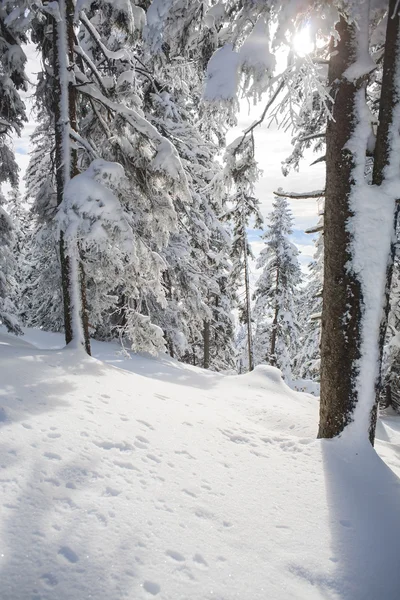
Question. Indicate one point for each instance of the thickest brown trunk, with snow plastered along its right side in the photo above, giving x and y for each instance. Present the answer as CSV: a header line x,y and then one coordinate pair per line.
x,y
342,301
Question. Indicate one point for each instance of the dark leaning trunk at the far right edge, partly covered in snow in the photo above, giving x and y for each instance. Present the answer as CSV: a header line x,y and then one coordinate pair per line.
x,y
389,102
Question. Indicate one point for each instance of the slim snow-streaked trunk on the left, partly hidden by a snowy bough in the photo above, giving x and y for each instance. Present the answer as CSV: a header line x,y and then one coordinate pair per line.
x,y
72,271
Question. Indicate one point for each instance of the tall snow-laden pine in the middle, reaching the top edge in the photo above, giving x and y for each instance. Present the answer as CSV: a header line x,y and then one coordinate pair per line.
x,y
199,302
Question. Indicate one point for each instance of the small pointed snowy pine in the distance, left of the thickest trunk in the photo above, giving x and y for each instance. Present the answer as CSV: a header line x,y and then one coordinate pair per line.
x,y
275,314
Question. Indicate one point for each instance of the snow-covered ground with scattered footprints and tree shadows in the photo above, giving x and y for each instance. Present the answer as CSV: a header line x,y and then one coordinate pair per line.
x,y
132,479
